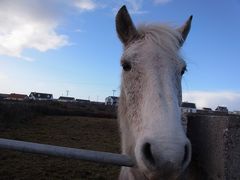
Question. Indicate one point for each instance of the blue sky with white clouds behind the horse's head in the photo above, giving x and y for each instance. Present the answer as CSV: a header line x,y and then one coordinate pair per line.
x,y
60,46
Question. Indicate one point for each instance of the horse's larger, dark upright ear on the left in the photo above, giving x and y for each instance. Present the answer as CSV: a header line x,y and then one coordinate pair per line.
x,y
125,28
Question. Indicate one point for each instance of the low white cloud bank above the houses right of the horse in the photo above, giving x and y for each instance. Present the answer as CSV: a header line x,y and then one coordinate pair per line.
x,y
213,99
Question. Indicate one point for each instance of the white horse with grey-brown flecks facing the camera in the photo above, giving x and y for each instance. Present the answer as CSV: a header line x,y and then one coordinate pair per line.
x,y
149,108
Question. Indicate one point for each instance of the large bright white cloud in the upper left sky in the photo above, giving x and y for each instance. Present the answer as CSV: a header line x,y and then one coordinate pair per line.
x,y
28,24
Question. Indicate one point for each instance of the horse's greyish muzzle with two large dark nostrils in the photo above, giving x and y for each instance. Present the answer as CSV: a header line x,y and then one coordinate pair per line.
x,y
163,159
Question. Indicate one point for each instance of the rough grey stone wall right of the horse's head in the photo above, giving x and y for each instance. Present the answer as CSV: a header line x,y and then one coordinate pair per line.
x,y
215,147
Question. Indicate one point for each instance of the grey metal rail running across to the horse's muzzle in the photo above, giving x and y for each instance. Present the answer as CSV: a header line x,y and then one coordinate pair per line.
x,y
66,152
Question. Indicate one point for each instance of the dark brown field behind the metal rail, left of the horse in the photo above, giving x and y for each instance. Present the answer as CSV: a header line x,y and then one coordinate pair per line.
x,y
71,131
